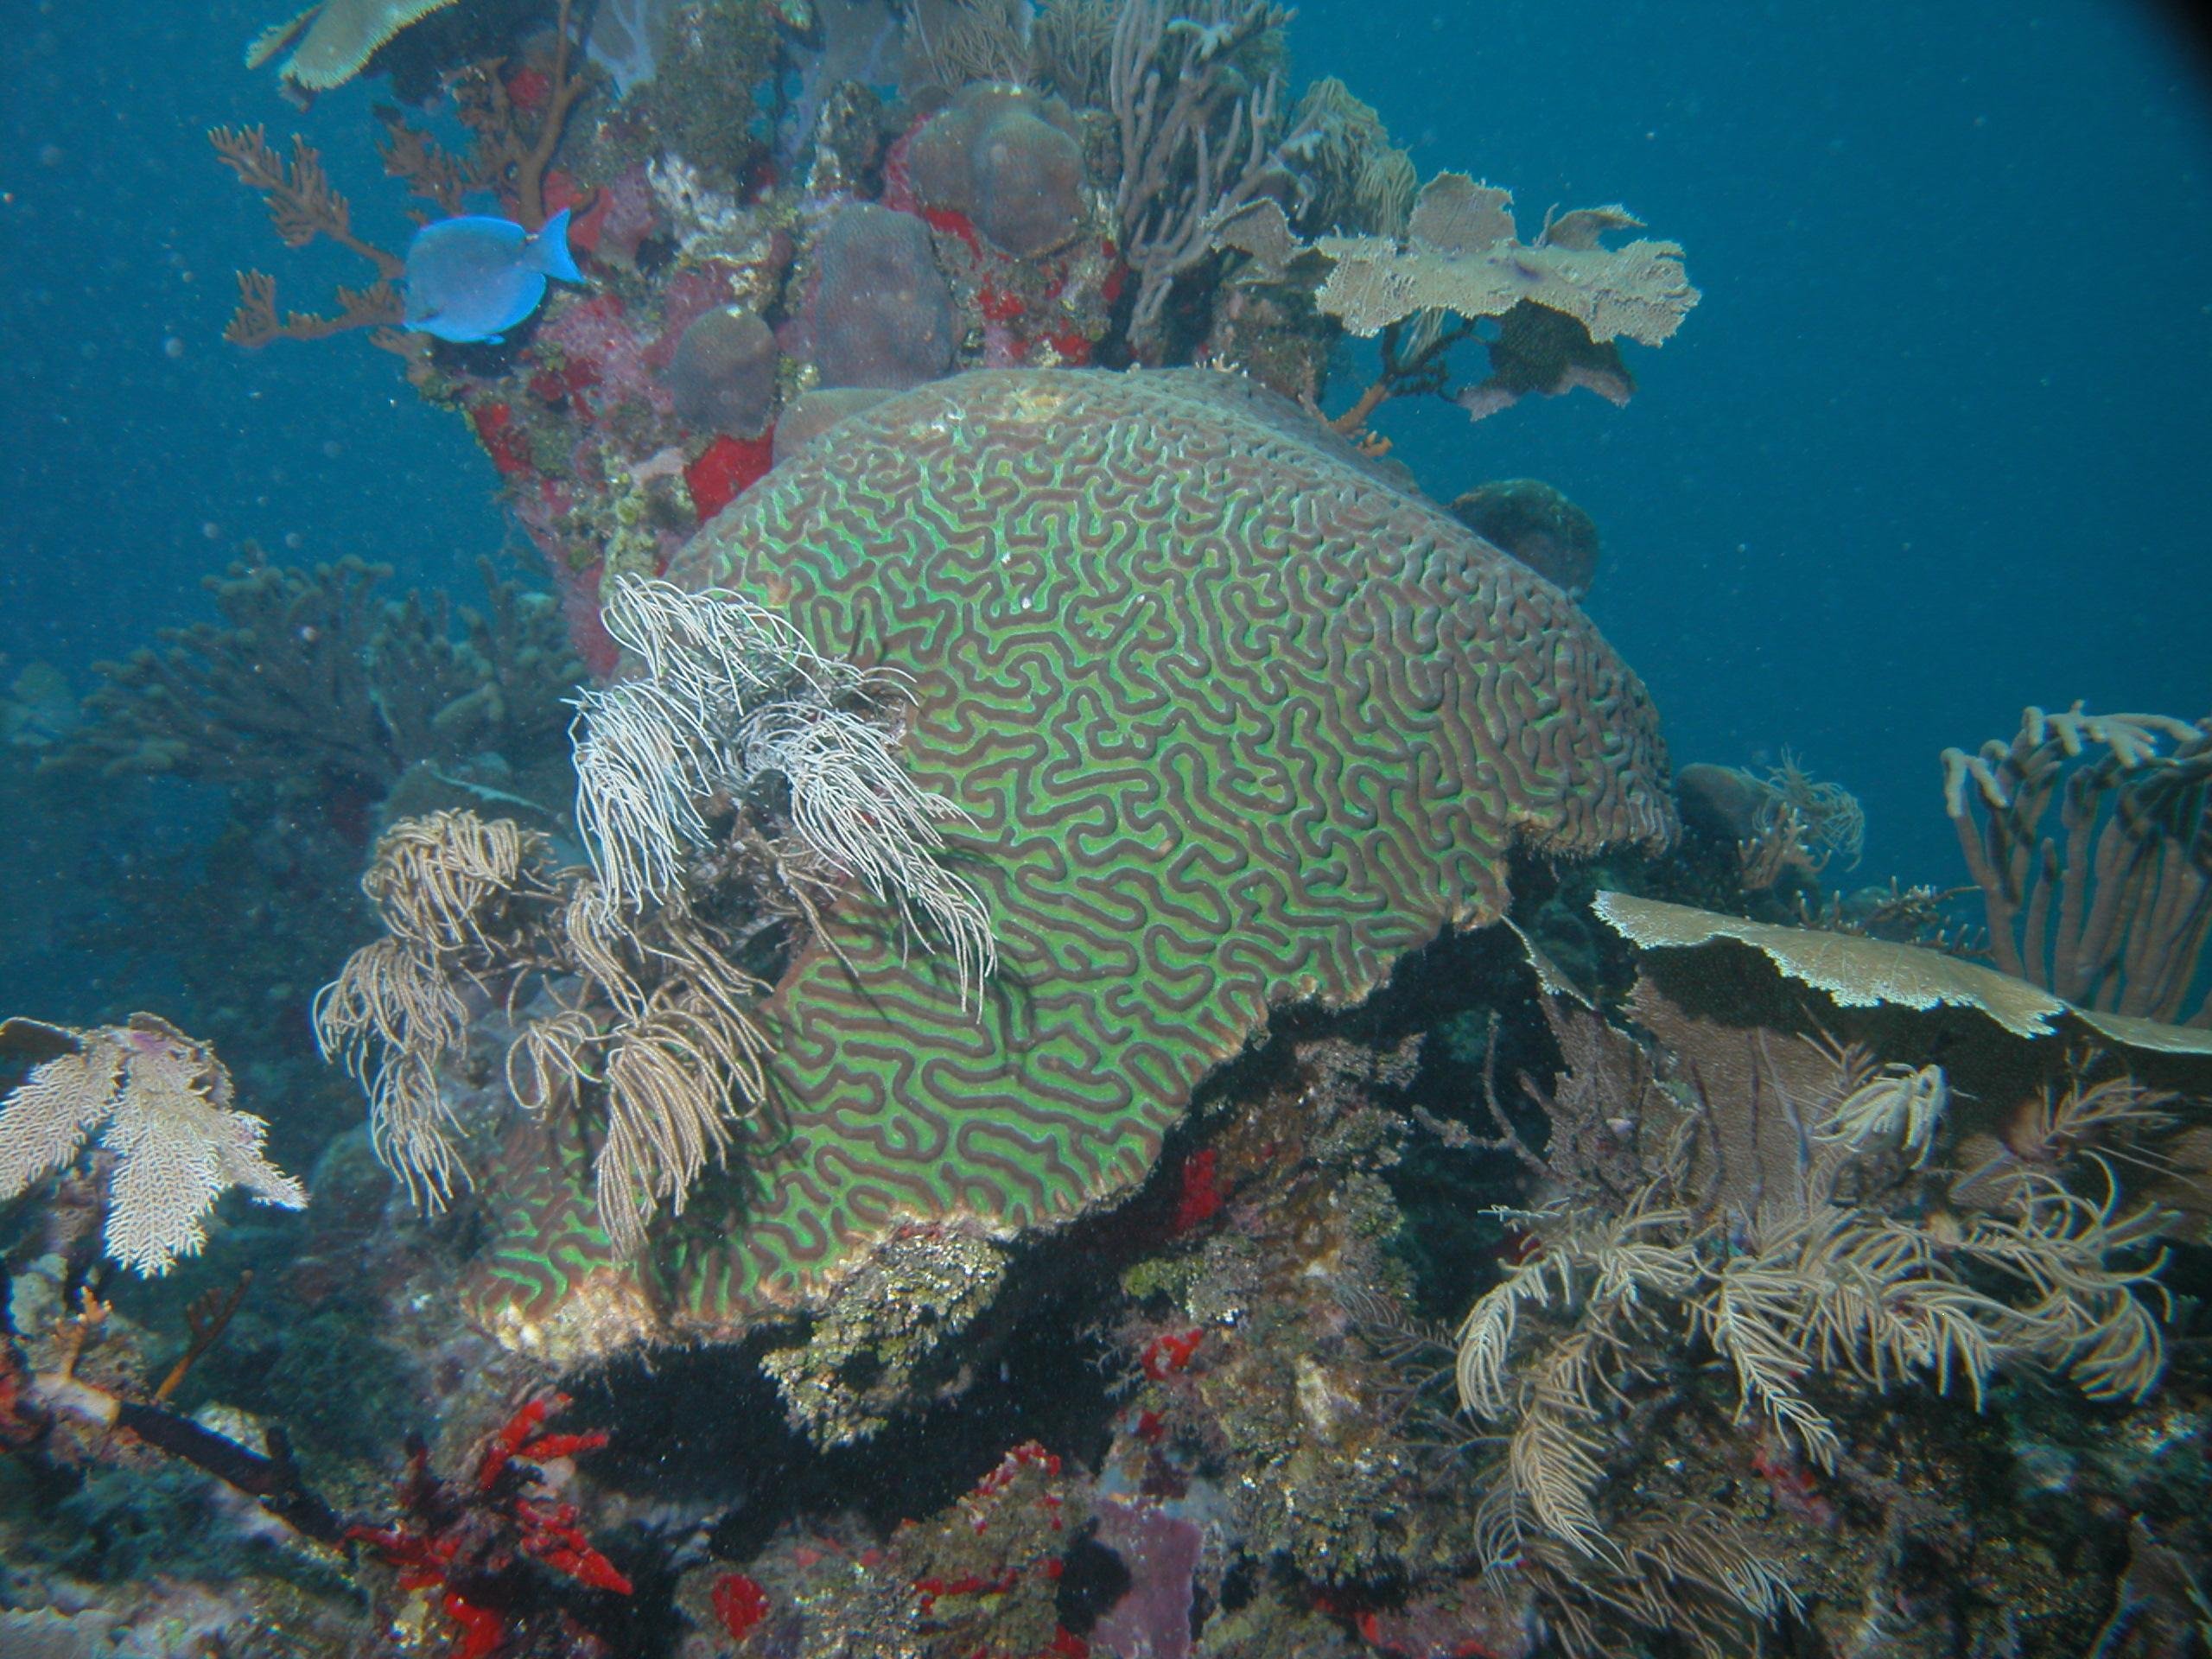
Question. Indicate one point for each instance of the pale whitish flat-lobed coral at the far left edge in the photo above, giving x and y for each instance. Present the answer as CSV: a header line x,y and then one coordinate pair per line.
x,y
171,1142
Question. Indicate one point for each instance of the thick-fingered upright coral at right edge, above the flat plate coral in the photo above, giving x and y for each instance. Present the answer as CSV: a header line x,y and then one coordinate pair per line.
x,y
2111,912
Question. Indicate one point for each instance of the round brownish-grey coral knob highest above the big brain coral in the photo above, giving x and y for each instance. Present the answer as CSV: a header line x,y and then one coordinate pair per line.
x,y
1008,158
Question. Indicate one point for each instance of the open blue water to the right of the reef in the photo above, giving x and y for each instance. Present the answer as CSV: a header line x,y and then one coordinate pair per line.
x,y
1934,444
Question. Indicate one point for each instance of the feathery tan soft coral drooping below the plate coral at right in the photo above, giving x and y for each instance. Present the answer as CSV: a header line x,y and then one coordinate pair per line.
x,y
1786,1224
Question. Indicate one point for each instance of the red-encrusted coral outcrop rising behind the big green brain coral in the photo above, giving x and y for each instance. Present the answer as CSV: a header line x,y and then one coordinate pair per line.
x,y
897,194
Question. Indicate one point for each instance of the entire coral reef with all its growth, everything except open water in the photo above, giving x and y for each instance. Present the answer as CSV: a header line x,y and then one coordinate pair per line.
x,y
1034,1008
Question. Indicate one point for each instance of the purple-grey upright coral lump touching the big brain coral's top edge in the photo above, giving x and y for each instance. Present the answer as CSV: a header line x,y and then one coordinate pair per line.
x,y
884,315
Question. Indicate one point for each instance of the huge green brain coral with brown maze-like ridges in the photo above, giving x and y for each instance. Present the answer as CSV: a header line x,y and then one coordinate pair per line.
x,y
1238,724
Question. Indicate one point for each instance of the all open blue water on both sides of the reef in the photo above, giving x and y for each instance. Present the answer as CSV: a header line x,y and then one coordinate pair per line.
x,y
1930,450
